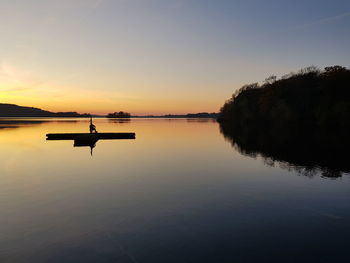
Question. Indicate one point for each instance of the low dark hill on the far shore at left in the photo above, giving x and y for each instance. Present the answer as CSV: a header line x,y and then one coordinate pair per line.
x,y
12,110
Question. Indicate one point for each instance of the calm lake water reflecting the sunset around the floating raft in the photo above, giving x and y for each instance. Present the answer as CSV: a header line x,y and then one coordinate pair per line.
x,y
178,193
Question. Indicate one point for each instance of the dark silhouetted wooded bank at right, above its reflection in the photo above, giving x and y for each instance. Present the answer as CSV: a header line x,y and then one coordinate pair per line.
x,y
307,100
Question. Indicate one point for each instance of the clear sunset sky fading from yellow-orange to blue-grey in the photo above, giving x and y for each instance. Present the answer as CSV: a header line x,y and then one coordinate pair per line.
x,y
159,56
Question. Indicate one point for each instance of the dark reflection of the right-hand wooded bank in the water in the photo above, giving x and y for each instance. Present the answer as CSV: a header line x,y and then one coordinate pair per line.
x,y
308,155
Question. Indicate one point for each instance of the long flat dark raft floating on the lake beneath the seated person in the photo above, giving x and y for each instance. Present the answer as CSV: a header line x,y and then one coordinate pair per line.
x,y
90,136
